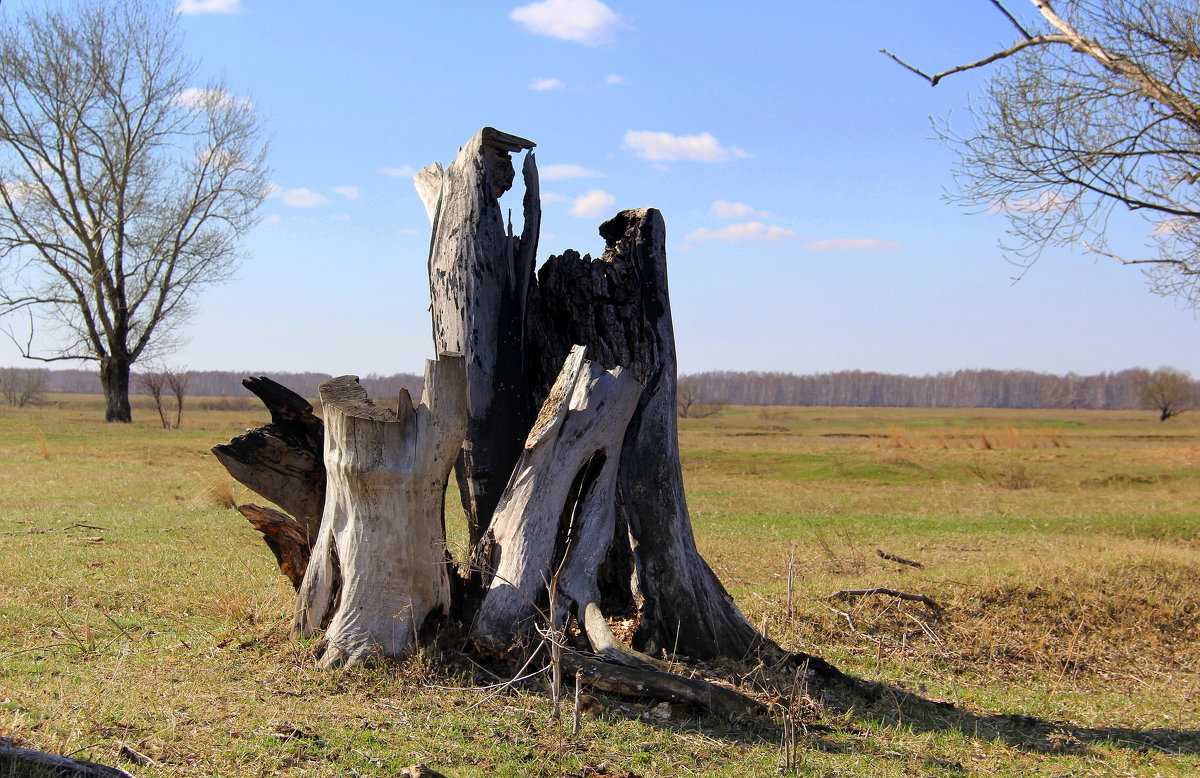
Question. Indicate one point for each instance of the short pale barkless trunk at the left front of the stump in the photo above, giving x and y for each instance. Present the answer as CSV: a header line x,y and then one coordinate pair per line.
x,y
379,568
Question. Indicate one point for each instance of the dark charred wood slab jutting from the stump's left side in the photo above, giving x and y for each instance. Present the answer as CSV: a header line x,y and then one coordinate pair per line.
x,y
283,460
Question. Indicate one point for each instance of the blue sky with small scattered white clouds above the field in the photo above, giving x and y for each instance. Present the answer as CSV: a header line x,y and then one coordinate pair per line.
x,y
794,164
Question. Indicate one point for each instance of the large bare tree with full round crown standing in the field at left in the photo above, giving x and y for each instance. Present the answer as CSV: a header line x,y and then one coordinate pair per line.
x,y
124,187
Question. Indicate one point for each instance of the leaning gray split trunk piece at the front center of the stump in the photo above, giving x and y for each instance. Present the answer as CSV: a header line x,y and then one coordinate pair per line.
x,y
557,517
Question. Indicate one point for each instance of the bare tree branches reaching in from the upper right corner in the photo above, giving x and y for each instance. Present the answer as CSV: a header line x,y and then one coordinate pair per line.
x,y
1094,112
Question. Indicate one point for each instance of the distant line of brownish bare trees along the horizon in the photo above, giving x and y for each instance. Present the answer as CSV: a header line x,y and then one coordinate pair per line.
x,y
959,390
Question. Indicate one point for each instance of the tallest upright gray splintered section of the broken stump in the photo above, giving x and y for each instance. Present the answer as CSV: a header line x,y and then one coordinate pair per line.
x,y
481,274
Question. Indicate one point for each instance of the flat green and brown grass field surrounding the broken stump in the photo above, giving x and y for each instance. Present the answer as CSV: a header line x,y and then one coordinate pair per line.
x,y
1064,549
